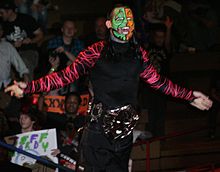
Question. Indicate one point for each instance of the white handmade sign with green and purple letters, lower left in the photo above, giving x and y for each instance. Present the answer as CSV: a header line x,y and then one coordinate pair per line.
x,y
39,143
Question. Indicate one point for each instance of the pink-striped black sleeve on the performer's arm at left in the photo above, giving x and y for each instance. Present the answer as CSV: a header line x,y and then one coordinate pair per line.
x,y
85,60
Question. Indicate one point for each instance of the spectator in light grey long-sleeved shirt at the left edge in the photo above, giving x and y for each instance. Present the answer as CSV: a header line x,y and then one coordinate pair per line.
x,y
10,58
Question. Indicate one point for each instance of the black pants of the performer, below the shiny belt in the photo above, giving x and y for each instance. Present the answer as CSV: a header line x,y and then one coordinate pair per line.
x,y
99,154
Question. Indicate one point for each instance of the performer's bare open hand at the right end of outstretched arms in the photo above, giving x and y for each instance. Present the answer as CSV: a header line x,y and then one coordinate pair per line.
x,y
201,101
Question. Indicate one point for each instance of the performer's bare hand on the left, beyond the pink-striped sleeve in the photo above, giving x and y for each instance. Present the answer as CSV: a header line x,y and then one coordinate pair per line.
x,y
16,89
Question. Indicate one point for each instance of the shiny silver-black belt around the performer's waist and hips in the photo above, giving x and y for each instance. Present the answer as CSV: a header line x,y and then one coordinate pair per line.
x,y
116,123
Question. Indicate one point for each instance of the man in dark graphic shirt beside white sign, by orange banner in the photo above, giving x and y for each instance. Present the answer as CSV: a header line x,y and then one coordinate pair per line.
x,y
69,126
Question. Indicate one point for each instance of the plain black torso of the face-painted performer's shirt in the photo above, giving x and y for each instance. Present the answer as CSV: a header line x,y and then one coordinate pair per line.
x,y
114,77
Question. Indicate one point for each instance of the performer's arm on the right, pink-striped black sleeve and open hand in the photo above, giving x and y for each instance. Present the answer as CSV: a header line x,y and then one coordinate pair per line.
x,y
156,81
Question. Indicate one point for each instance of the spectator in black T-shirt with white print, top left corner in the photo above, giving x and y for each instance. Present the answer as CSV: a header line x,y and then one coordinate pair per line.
x,y
23,32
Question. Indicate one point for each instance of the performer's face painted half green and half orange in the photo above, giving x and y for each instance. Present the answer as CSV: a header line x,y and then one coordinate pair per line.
x,y
122,23
